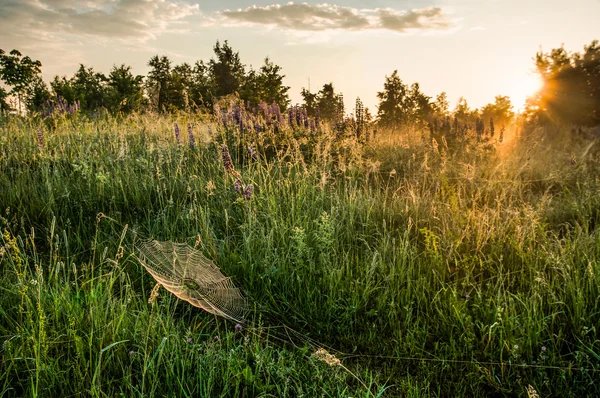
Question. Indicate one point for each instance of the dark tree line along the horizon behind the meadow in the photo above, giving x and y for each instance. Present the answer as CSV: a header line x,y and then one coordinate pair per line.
x,y
570,94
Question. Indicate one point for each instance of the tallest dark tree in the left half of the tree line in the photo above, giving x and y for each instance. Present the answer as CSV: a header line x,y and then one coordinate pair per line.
x,y
226,71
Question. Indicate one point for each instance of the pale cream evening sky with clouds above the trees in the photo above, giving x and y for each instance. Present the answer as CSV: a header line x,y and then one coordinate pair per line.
x,y
472,48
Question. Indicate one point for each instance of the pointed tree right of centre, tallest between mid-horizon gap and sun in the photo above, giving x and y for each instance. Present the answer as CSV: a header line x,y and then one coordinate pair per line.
x,y
392,110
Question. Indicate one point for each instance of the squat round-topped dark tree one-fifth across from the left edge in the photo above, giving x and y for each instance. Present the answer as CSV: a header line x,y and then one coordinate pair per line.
x,y
124,91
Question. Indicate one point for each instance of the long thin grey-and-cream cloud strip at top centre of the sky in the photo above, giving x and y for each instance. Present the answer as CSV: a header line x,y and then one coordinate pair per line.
x,y
322,17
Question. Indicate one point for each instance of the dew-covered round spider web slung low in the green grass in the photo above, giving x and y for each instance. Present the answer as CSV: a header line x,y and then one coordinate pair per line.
x,y
190,276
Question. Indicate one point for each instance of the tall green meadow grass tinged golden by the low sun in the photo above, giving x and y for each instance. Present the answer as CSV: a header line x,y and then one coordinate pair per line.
x,y
429,269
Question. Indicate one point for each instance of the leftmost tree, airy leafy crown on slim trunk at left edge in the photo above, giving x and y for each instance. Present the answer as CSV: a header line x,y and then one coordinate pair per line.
x,y
18,72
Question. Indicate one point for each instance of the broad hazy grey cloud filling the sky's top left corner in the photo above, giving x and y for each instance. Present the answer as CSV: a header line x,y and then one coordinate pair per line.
x,y
27,21
